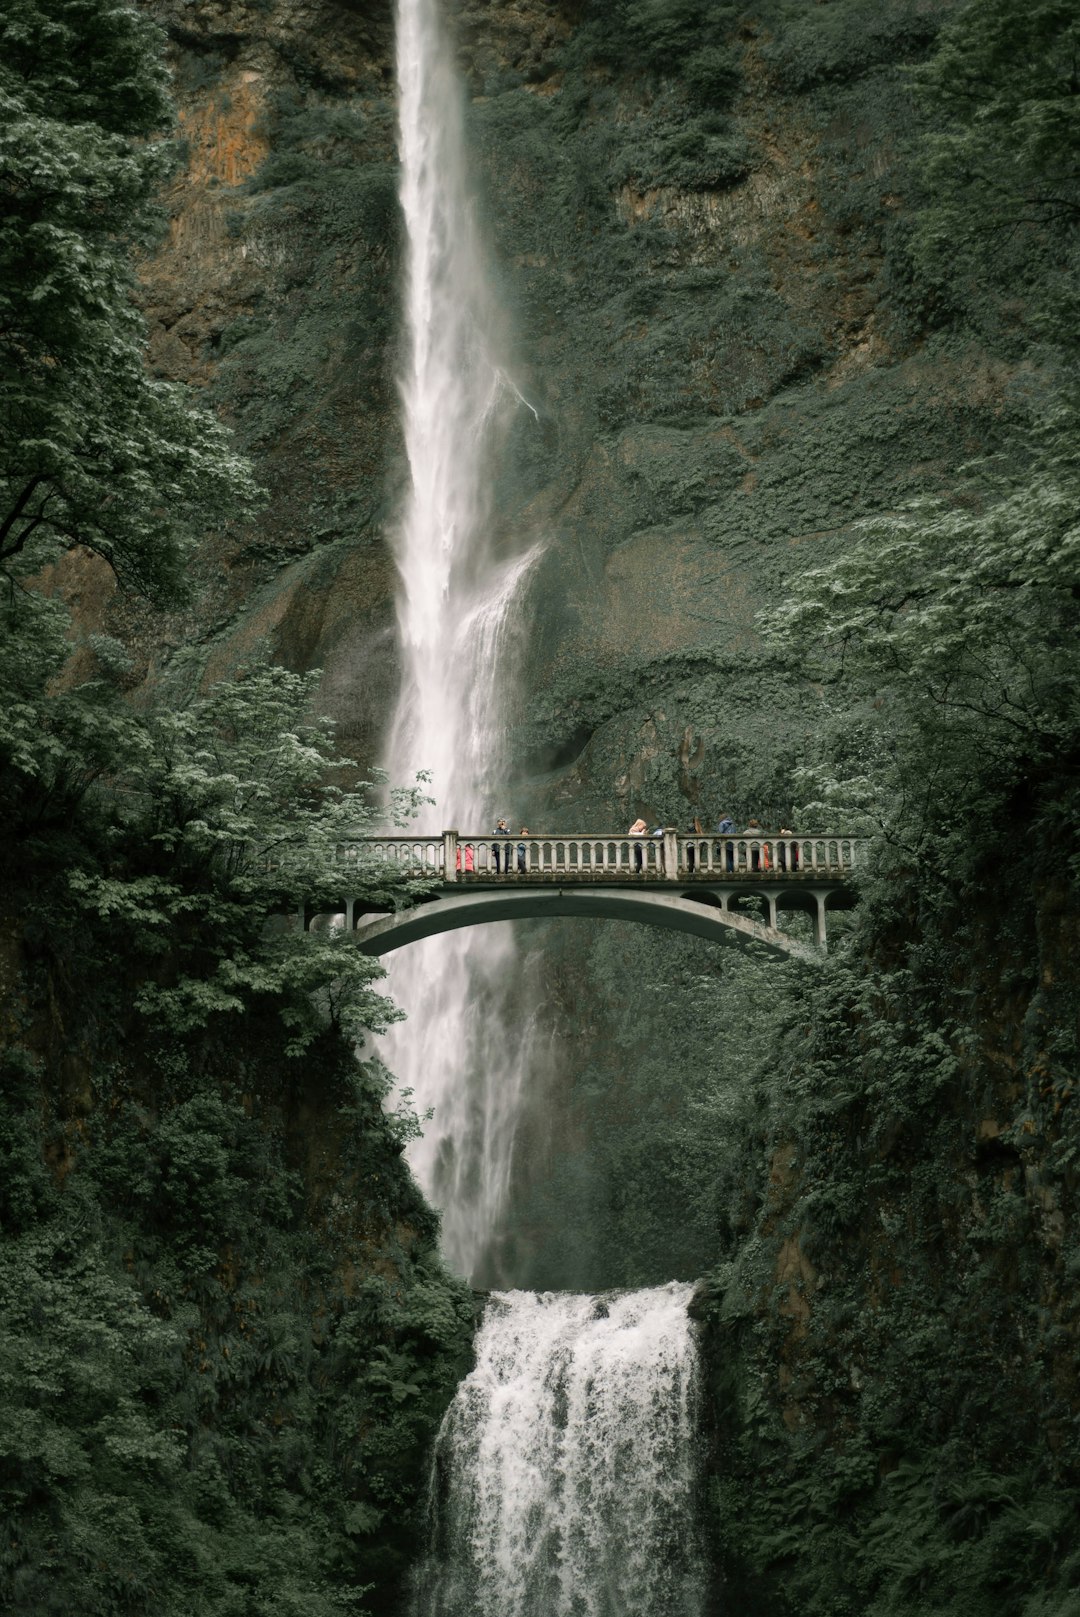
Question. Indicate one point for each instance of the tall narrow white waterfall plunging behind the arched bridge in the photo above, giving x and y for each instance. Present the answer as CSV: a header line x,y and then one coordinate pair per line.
x,y
460,583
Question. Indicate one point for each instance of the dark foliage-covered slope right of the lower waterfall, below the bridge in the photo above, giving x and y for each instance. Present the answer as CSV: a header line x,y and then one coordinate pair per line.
x,y
898,1458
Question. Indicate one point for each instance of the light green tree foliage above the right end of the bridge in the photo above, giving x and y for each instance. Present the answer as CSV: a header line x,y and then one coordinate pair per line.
x,y
960,623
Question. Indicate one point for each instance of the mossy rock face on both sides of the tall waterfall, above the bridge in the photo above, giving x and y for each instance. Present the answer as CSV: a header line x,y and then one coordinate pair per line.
x,y
706,293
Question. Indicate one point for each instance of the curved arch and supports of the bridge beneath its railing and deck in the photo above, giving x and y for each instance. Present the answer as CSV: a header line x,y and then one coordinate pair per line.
x,y
704,916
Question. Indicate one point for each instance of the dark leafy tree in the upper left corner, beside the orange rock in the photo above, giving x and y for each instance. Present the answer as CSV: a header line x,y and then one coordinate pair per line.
x,y
93,450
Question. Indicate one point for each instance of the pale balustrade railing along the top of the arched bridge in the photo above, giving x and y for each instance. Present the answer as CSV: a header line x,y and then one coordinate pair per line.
x,y
669,856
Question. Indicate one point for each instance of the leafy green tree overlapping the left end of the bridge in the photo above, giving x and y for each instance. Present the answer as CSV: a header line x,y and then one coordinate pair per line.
x,y
222,819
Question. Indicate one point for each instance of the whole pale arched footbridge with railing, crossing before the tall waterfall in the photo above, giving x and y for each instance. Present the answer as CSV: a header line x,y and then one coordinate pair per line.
x,y
690,884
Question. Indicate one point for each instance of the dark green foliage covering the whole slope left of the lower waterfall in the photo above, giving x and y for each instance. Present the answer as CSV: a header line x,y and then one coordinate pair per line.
x,y
193,1324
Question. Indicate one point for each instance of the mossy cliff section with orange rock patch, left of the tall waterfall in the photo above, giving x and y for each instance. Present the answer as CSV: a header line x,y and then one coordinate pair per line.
x,y
276,290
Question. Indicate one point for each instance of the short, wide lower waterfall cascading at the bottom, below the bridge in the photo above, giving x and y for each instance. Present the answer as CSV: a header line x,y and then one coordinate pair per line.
x,y
565,1469
